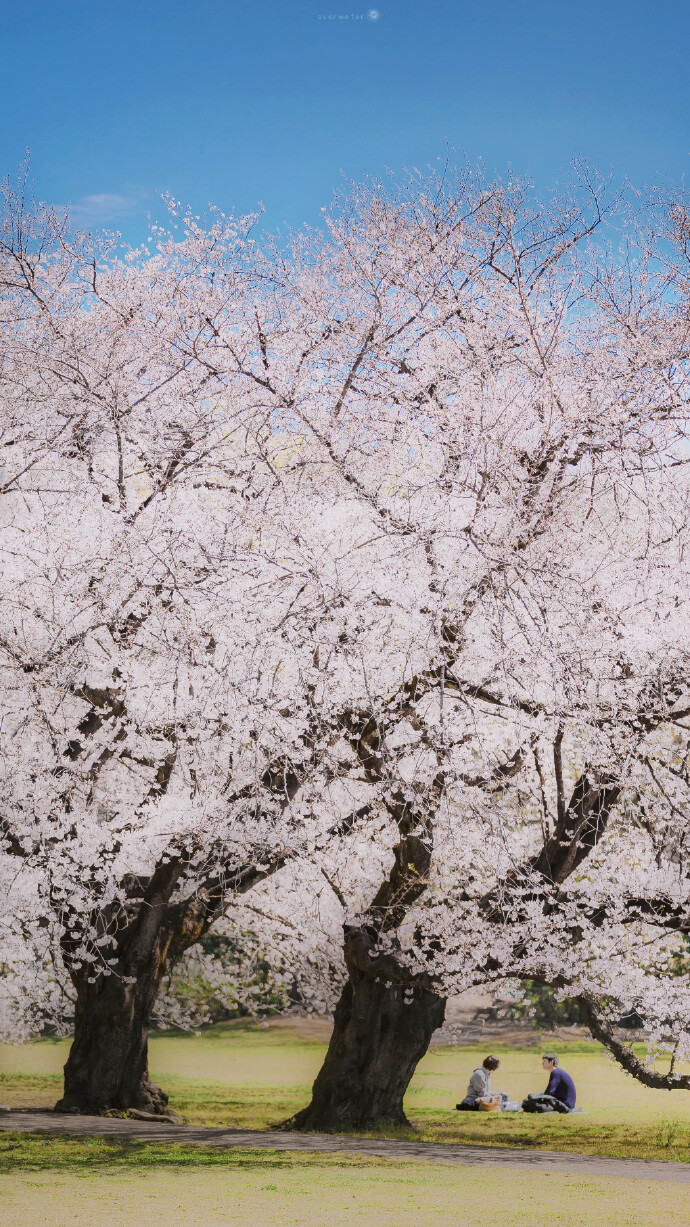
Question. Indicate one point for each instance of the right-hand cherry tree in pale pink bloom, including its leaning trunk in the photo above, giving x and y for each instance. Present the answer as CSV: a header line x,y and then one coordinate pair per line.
x,y
526,415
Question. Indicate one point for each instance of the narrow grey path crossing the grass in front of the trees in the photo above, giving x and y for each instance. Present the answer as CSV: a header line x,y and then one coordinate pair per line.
x,y
435,1153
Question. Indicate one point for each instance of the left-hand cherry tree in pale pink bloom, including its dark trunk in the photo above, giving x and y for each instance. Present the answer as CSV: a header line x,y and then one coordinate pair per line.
x,y
157,615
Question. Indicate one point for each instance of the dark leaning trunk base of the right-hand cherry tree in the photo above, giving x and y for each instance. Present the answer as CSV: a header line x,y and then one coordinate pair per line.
x,y
381,1033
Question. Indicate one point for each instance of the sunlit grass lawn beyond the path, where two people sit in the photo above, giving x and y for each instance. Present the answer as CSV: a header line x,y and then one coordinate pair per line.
x,y
247,1075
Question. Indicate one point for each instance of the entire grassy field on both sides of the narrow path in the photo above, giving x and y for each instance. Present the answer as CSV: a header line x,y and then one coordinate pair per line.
x,y
255,1077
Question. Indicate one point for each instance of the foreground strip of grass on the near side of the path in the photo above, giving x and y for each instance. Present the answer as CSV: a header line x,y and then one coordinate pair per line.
x,y
174,1187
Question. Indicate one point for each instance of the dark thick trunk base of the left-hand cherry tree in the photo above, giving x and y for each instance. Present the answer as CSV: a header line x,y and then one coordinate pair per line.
x,y
109,1062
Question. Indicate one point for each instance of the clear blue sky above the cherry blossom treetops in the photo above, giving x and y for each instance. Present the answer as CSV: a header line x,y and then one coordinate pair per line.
x,y
273,101
